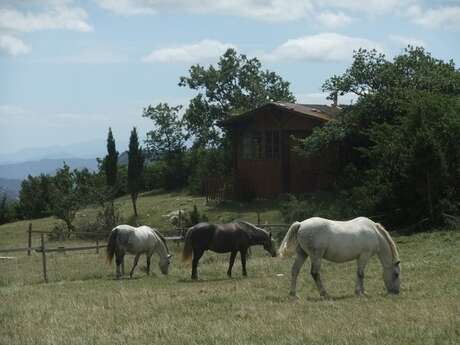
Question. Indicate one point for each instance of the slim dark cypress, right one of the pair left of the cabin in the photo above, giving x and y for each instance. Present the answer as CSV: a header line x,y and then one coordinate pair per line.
x,y
135,168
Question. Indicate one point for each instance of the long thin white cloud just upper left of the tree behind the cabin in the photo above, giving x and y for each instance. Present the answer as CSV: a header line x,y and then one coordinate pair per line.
x,y
189,53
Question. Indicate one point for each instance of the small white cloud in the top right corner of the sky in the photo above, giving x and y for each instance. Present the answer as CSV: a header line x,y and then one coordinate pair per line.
x,y
446,17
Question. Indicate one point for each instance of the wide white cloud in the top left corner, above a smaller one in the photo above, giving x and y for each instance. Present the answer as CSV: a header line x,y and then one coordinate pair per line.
x,y
56,17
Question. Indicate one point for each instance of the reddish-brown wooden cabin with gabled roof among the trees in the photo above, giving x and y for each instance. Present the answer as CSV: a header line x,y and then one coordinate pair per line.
x,y
264,161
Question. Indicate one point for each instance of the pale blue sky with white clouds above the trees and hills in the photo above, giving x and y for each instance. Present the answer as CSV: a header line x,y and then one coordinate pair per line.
x,y
70,69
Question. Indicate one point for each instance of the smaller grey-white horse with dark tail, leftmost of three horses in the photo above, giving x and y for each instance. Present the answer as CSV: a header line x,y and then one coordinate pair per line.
x,y
142,240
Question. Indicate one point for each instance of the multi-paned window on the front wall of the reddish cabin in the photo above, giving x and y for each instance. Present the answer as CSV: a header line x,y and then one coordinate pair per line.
x,y
261,145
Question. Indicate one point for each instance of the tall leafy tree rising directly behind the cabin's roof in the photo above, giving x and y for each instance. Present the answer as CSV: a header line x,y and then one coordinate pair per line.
x,y
235,85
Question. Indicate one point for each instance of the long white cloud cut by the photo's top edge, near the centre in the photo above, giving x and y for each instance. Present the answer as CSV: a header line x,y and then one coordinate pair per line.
x,y
265,10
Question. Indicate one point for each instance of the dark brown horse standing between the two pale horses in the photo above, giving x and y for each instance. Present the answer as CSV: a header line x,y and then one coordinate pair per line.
x,y
223,238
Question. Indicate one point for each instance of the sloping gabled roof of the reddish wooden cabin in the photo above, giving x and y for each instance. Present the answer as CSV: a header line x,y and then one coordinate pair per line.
x,y
317,111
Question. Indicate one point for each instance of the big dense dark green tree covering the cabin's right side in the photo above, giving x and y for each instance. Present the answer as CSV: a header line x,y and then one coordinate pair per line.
x,y
402,131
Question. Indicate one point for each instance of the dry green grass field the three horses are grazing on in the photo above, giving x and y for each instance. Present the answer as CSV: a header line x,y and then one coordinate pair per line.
x,y
84,304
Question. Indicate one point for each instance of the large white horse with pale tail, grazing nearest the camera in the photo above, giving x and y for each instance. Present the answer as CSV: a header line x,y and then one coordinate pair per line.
x,y
337,241
